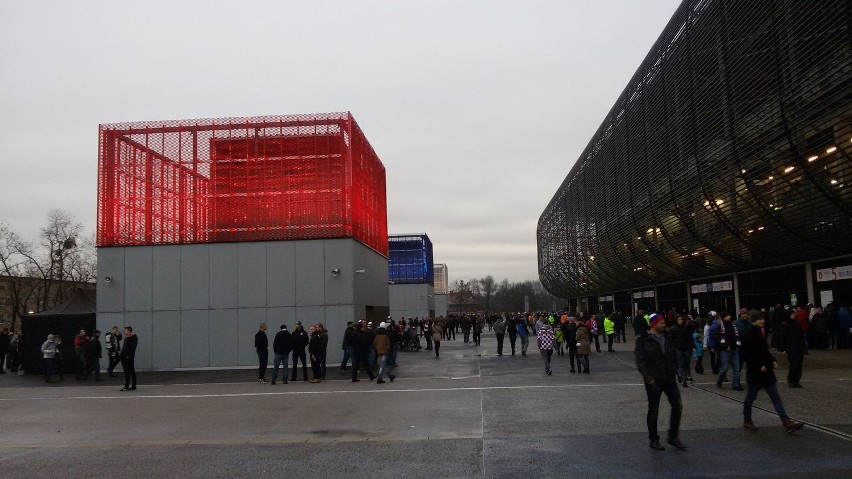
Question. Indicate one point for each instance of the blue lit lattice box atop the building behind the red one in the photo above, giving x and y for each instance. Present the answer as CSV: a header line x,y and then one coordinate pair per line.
x,y
410,259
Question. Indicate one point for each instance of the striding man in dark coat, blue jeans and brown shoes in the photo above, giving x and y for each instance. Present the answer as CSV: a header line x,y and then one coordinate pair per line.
x,y
760,367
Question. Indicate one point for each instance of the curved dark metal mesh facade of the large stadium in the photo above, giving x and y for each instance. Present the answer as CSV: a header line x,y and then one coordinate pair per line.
x,y
729,149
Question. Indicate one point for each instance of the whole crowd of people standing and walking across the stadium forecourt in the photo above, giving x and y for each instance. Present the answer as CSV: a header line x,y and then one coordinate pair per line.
x,y
669,347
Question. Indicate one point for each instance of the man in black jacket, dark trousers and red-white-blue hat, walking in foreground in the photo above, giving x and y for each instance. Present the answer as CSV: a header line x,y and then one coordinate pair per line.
x,y
655,359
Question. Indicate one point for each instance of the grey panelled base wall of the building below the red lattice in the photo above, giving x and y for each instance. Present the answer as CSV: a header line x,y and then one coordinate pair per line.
x,y
199,306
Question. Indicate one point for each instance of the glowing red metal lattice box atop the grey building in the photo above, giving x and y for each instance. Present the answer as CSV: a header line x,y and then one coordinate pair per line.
x,y
240,179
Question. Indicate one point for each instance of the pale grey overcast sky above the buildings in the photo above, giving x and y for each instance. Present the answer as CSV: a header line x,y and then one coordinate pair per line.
x,y
478,109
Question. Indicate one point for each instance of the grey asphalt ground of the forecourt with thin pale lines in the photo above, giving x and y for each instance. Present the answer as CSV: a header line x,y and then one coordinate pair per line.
x,y
469,413
